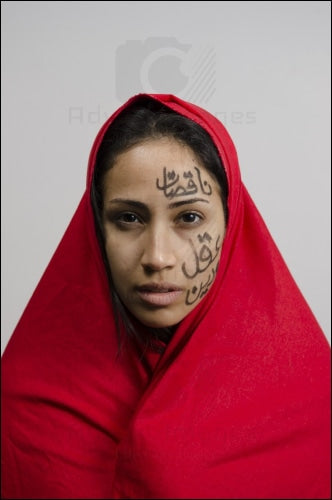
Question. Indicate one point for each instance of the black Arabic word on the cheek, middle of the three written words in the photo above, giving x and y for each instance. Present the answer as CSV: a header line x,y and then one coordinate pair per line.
x,y
203,257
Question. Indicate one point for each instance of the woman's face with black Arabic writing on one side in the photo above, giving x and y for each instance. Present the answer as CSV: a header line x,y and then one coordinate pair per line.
x,y
164,227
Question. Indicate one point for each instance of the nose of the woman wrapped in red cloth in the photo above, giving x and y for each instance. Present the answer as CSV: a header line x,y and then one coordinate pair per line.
x,y
158,253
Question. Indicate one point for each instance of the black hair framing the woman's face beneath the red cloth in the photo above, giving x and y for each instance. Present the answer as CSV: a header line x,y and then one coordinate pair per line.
x,y
148,119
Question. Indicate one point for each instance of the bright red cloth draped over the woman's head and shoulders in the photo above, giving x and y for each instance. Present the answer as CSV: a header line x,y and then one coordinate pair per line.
x,y
238,406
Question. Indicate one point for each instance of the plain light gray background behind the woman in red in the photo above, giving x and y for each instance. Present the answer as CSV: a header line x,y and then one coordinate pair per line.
x,y
262,67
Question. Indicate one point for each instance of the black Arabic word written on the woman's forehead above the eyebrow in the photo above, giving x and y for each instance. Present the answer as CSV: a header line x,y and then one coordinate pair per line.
x,y
172,188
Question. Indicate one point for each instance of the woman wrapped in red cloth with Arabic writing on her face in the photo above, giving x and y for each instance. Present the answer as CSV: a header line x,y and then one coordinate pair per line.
x,y
167,351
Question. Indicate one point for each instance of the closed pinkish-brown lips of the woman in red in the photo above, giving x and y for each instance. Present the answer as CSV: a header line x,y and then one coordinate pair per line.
x,y
159,294
